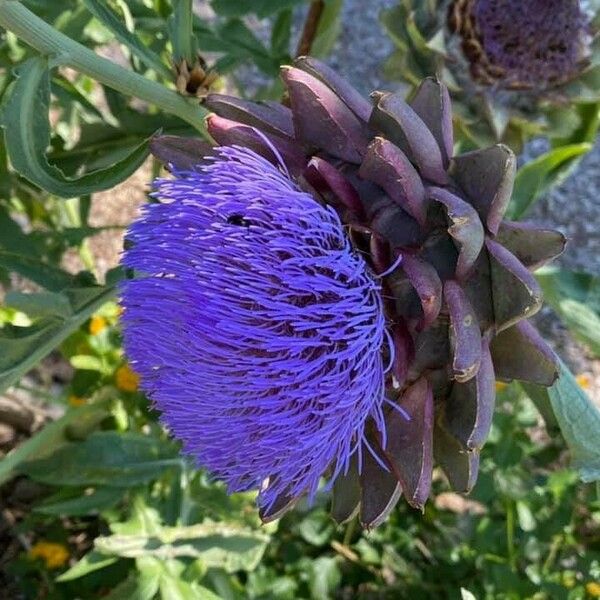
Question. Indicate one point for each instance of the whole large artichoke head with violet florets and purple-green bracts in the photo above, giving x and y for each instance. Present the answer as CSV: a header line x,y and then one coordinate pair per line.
x,y
330,294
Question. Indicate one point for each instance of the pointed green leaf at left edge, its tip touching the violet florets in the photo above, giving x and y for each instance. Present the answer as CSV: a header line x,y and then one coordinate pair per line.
x,y
21,348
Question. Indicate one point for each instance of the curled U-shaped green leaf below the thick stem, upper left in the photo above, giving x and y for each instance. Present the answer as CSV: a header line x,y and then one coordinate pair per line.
x,y
24,117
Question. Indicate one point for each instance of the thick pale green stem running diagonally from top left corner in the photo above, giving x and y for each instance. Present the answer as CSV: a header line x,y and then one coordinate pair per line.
x,y
50,42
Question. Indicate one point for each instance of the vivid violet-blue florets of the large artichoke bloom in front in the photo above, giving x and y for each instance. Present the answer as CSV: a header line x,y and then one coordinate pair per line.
x,y
255,327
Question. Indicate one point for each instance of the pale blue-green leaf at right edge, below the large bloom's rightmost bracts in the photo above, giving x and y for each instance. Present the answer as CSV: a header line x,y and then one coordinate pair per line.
x,y
579,421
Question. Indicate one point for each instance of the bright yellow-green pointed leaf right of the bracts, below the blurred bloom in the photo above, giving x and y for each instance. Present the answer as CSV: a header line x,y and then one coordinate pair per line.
x,y
539,175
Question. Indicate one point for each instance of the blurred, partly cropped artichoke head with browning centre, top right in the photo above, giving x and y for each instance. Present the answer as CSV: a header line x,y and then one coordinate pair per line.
x,y
515,69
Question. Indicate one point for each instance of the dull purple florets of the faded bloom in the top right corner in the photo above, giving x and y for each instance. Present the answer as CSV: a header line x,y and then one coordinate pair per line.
x,y
537,42
